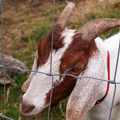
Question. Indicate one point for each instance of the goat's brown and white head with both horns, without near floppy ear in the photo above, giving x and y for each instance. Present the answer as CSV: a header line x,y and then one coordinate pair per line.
x,y
71,52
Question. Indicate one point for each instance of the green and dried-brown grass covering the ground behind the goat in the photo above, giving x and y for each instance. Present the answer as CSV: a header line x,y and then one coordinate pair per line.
x,y
27,27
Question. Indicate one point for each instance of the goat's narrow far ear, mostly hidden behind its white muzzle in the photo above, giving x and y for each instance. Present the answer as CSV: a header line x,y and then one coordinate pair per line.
x,y
27,82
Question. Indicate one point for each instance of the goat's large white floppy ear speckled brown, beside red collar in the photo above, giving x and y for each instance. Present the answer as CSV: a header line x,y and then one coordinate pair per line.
x,y
86,91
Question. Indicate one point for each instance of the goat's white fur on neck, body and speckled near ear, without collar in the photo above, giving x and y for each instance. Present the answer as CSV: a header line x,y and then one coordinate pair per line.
x,y
82,98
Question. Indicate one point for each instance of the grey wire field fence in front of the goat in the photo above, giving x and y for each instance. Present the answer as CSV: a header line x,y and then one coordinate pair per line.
x,y
51,74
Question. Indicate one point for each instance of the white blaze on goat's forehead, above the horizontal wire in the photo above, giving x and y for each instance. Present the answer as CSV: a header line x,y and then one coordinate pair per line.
x,y
57,55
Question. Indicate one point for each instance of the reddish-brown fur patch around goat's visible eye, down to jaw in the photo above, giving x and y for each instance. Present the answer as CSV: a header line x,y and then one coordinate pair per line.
x,y
73,61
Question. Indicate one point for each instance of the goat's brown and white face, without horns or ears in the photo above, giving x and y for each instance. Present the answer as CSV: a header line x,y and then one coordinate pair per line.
x,y
68,56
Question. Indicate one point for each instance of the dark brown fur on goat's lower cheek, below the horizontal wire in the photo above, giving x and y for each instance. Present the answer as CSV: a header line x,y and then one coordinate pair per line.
x,y
61,91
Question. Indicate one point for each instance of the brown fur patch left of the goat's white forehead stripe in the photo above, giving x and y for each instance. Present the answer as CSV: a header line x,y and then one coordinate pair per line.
x,y
44,47
